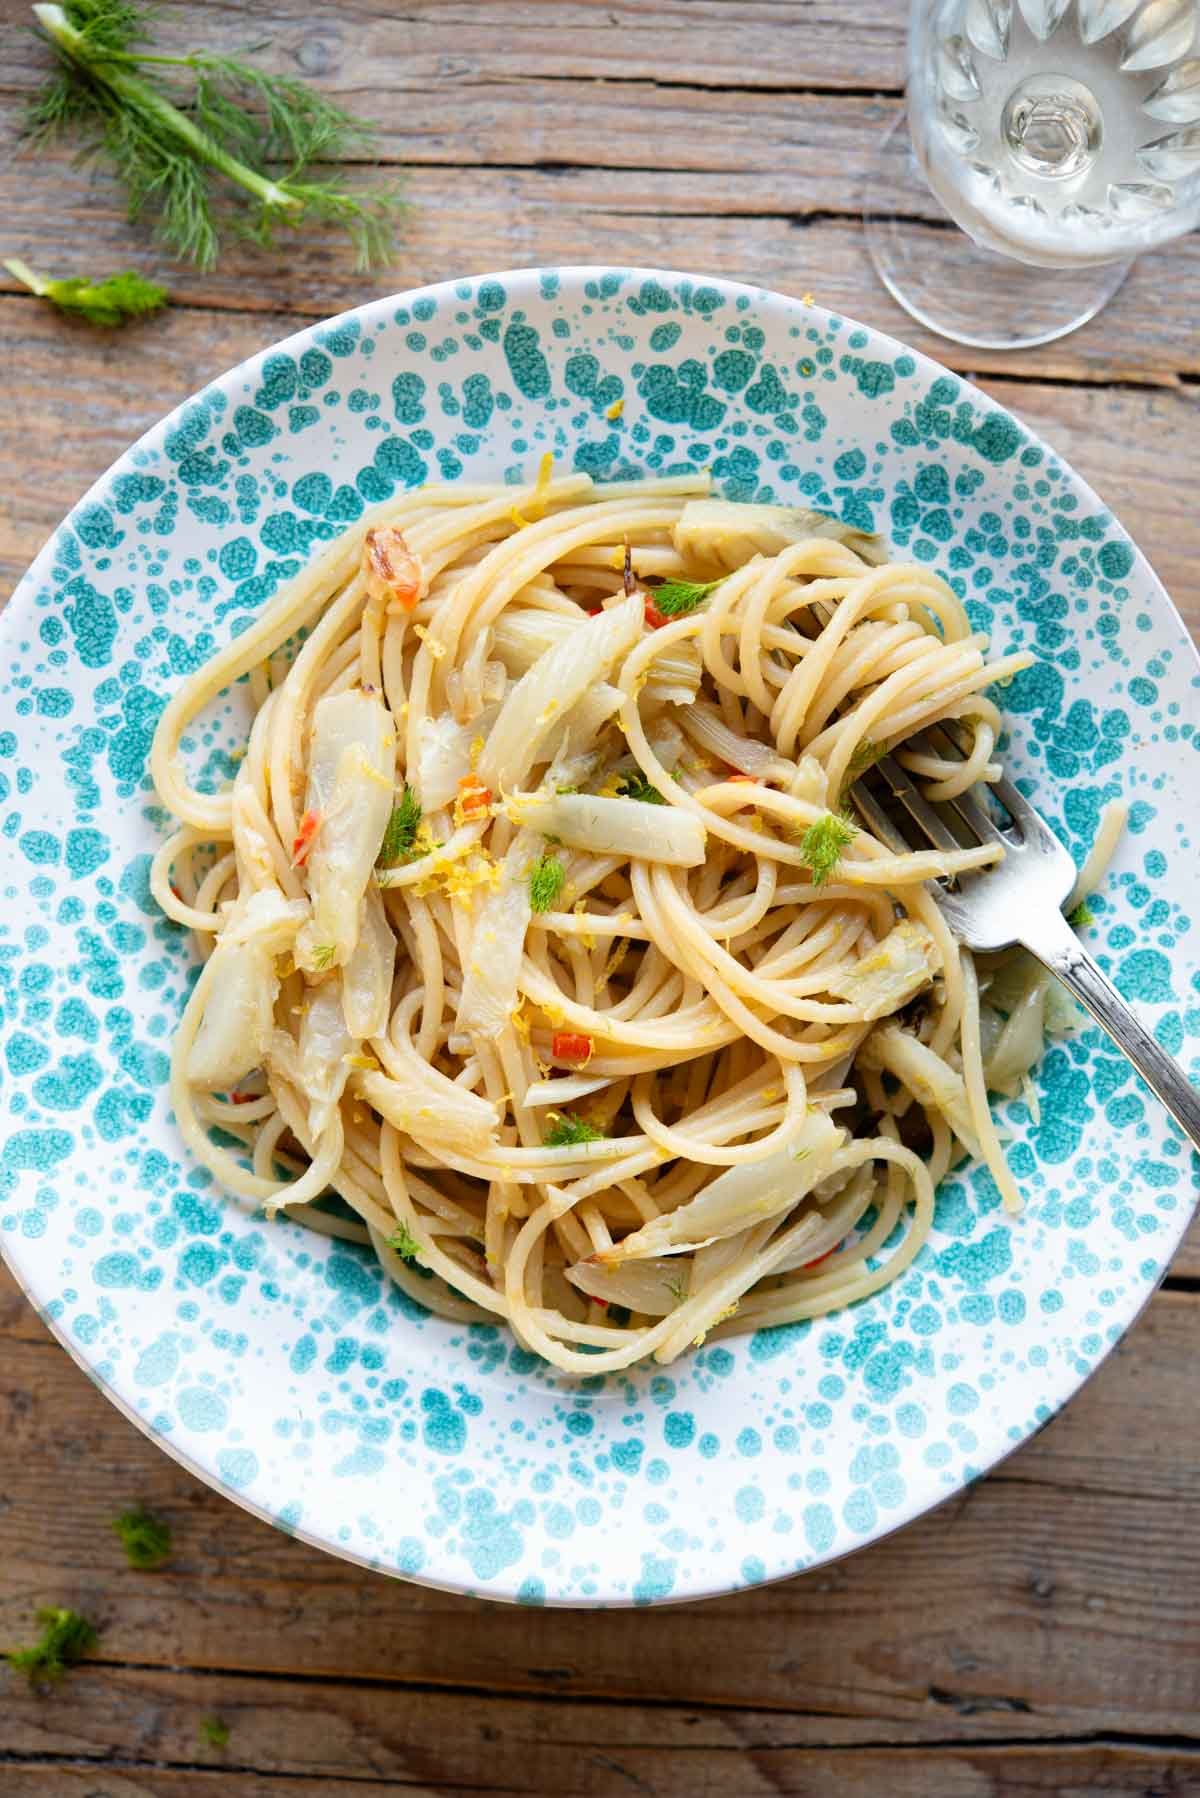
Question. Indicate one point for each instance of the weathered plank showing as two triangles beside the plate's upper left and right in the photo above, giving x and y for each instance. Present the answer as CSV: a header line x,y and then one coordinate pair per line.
x,y
58,436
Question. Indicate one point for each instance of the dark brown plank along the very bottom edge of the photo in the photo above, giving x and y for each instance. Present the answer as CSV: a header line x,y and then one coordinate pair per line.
x,y
438,1741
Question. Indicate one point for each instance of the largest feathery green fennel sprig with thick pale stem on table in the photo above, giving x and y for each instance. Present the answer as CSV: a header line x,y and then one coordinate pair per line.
x,y
188,132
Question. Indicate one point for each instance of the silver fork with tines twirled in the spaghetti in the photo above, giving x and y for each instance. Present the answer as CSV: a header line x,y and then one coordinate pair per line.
x,y
1019,902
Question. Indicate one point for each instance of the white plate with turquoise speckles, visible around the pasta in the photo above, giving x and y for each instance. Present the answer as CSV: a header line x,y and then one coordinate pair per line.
x,y
278,1364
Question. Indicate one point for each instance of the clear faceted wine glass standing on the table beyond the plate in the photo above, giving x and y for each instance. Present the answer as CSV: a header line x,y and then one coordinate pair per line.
x,y
1061,136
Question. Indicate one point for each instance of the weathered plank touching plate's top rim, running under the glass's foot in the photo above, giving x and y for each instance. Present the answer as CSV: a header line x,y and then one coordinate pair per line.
x,y
474,220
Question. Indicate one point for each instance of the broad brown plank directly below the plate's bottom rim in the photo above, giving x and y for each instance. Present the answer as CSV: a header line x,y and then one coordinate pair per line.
x,y
1064,1583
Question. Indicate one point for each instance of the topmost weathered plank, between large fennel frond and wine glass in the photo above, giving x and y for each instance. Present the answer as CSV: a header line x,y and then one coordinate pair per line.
x,y
622,105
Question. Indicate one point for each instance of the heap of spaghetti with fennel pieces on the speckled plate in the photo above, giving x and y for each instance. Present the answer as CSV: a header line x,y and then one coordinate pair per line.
x,y
542,954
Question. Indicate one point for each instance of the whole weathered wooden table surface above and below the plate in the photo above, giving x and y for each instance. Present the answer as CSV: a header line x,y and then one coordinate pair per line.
x,y
1037,1635
